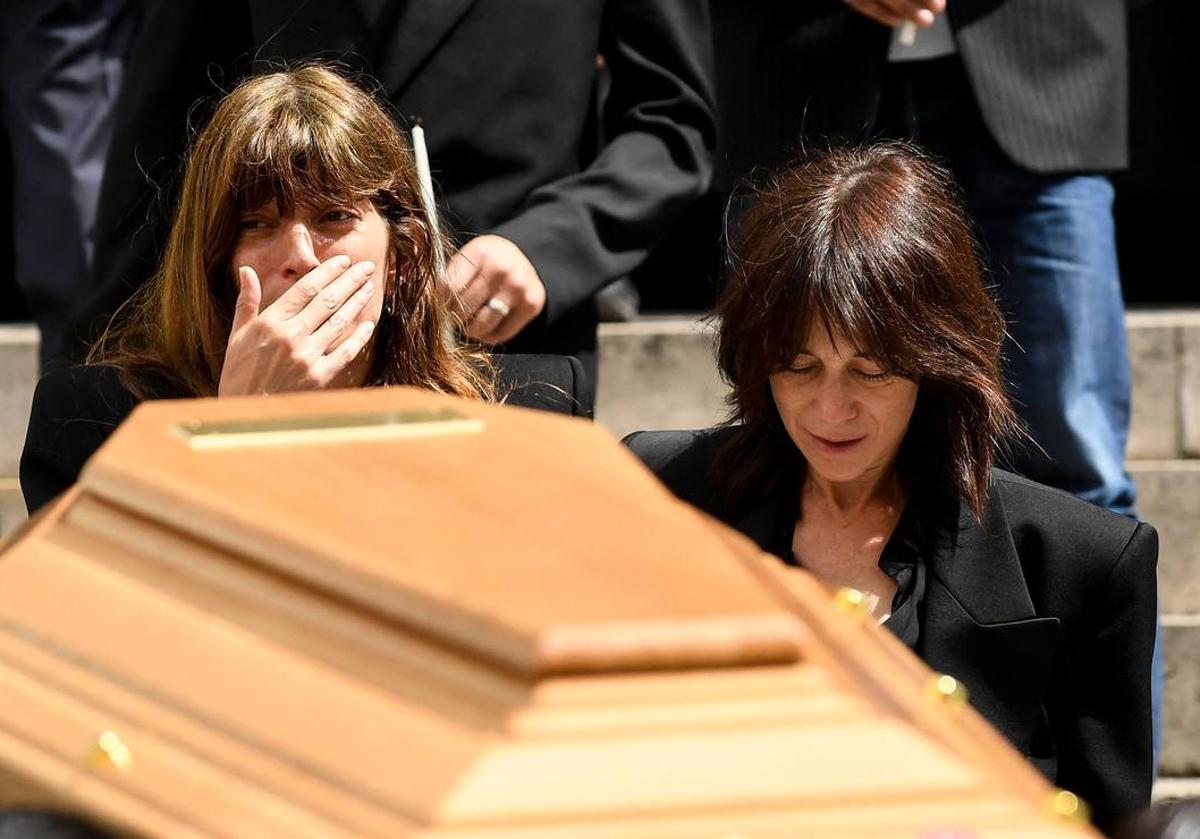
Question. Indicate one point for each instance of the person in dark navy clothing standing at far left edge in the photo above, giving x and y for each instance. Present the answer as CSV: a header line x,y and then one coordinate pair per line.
x,y
62,64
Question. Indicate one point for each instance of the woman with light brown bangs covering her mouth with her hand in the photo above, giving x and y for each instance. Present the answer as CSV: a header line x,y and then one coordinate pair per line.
x,y
301,257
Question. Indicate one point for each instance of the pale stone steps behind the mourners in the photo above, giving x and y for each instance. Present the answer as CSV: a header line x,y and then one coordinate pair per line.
x,y
659,374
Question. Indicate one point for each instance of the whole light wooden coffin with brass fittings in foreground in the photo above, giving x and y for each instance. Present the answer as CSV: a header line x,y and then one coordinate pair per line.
x,y
391,614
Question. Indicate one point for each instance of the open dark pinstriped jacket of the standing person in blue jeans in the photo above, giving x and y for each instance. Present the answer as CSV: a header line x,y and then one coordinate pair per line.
x,y
1051,77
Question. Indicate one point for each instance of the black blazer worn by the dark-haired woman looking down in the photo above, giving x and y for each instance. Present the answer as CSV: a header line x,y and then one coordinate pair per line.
x,y
1046,610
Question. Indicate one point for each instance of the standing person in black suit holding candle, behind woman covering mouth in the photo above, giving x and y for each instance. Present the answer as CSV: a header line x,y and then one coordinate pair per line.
x,y
505,94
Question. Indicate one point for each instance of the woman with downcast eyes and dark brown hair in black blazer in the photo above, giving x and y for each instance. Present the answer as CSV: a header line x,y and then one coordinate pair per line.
x,y
867,404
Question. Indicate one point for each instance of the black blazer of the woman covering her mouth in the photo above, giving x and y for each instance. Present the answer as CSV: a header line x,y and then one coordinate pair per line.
x,y
76,410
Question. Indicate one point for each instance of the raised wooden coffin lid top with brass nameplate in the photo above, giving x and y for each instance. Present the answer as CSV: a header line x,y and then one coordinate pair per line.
x,y
362,495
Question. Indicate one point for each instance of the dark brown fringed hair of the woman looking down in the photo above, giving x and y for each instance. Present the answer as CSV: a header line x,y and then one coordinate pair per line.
x,y
873,244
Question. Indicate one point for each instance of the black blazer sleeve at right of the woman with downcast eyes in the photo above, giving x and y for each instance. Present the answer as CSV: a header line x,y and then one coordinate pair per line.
x,y
1106,754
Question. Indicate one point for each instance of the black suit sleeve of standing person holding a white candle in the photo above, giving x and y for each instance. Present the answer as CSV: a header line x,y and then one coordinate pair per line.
x,y
592,227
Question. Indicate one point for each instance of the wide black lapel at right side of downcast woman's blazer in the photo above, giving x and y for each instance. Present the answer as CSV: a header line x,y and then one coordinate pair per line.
x,y
981,626
